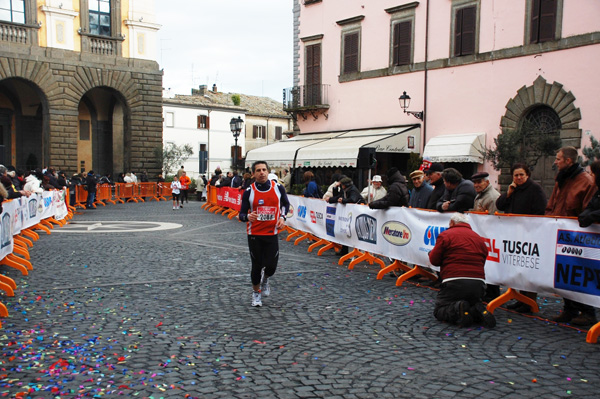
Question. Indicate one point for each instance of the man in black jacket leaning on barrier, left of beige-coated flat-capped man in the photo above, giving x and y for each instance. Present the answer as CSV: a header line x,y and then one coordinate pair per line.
x,y
459,195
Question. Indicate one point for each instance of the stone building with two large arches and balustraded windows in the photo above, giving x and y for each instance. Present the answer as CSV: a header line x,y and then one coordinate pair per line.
x,y
79,86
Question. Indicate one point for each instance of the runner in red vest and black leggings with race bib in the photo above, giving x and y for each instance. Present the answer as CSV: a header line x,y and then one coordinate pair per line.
x,y
264,206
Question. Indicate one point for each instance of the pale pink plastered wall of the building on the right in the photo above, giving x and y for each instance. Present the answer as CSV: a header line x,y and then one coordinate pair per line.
x,y
470,98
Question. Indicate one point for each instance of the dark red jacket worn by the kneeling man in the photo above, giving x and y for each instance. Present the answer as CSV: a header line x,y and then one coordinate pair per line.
x,y
460,253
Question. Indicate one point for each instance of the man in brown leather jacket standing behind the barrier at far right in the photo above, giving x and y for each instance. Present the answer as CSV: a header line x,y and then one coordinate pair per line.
x,y
573,190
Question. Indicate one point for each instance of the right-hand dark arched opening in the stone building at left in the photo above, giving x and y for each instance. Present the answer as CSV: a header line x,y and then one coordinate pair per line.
x,y
103,132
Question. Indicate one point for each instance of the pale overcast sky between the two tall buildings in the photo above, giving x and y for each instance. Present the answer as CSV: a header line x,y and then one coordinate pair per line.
x,y
242,46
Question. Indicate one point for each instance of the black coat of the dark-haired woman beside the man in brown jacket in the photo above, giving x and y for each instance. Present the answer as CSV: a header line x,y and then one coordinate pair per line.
x,y
527,199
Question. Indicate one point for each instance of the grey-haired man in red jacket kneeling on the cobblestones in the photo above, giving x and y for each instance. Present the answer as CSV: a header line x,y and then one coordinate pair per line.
x,y
461,253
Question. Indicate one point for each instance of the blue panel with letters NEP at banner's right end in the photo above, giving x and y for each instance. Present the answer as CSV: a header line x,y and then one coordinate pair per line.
x,y
577,262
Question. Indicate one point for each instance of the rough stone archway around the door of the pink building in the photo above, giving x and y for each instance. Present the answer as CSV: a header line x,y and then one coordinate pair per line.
x,y
550,110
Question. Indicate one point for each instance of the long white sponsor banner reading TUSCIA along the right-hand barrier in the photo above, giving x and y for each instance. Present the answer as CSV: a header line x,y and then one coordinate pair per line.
x,y
539,254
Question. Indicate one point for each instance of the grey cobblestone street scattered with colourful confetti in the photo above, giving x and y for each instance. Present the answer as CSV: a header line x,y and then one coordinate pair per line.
x,y
114,310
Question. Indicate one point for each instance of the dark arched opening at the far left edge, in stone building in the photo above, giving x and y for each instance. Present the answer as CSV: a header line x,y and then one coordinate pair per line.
x,y
23,124
